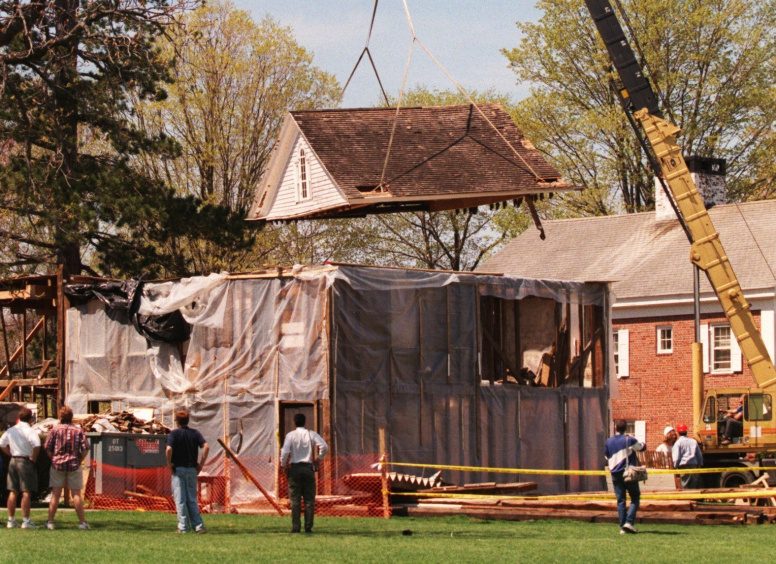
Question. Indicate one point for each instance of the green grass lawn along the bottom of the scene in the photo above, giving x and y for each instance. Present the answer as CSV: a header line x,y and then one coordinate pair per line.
x,y
150,537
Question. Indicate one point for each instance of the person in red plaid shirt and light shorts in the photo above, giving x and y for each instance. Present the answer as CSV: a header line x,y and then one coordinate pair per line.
x,y
66,446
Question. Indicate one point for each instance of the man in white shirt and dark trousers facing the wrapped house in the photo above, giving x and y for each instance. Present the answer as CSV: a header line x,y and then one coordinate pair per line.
x,y
298,458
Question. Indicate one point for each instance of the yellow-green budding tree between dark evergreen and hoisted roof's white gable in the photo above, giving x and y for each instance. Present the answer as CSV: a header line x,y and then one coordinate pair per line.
x,y
234,82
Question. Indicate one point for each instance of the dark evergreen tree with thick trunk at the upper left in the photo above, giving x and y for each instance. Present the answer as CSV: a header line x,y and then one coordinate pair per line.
x,y
69,191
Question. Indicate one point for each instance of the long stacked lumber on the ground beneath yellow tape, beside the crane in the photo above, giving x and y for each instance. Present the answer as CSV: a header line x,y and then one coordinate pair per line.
x,y
597,510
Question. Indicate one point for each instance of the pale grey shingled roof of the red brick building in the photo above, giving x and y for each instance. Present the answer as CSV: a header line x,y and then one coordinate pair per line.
x,y
642,257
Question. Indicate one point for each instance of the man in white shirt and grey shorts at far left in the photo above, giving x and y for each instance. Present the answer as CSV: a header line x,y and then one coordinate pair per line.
x,y
22,444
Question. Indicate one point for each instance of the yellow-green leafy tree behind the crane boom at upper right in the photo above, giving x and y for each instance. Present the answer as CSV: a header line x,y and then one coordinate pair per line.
x,y
713,63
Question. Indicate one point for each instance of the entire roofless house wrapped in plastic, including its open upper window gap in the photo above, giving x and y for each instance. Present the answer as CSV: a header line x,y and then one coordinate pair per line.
x,y
459,369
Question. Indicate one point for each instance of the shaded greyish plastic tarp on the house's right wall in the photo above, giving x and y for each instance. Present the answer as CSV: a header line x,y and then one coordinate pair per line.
x,y
405,347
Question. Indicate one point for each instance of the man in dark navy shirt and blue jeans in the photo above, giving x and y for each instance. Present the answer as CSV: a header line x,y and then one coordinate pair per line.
x,y
183,446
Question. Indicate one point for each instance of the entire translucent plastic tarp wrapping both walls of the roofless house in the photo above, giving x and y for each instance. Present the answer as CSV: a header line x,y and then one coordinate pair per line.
x,y
403,355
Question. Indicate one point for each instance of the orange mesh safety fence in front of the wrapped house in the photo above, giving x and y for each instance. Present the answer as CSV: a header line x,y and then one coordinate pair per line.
x,y
347,486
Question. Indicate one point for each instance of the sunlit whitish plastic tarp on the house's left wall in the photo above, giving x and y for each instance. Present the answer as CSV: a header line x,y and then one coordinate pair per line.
x,y
253,342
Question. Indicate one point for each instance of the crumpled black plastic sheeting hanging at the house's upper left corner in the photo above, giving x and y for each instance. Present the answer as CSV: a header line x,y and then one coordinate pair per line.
x,y
122,298
